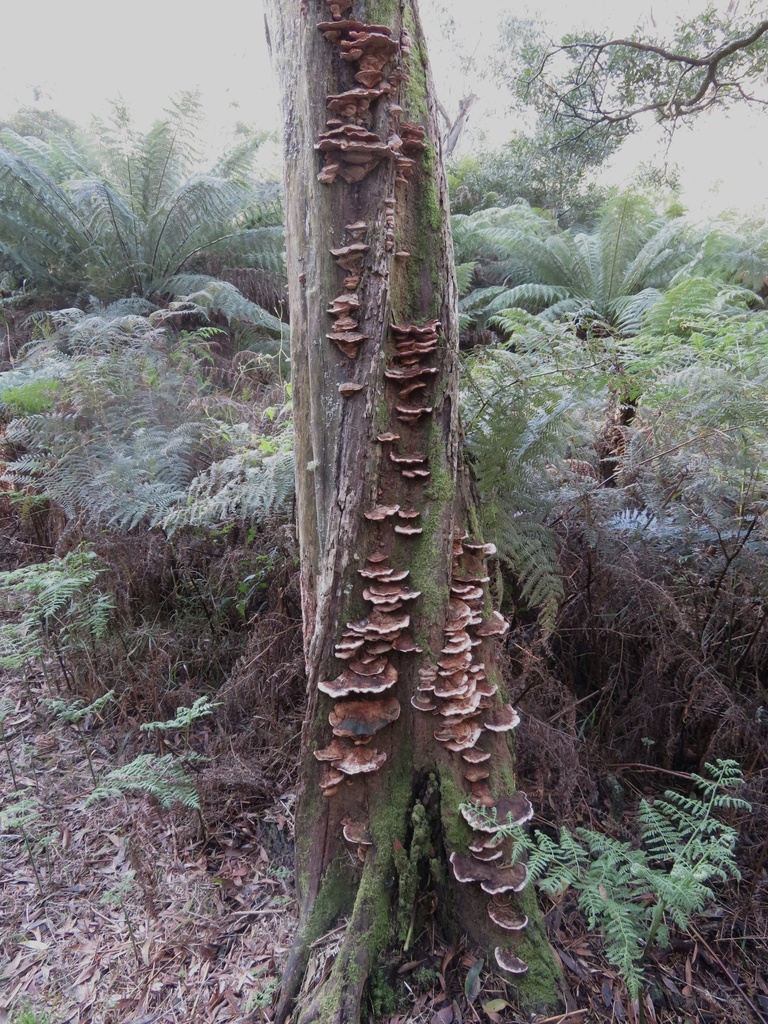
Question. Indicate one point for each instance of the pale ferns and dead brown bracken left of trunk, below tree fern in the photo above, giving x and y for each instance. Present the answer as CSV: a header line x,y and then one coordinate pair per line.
x,y
151,463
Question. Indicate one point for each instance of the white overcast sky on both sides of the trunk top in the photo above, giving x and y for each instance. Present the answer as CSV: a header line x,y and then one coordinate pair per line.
x,y
76,56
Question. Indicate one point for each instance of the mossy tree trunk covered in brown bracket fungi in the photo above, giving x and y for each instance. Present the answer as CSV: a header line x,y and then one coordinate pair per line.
x,y
374,349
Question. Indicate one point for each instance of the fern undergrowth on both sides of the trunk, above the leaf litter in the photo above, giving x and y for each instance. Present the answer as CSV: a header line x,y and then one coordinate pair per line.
x,y
615,418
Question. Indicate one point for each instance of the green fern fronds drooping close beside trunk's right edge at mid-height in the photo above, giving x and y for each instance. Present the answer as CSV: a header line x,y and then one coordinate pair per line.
x,y
520,425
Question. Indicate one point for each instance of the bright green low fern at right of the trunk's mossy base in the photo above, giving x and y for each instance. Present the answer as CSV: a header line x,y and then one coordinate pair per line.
x,y
685,848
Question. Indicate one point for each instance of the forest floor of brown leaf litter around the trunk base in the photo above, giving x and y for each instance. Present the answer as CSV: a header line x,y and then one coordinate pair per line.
x,y
122,913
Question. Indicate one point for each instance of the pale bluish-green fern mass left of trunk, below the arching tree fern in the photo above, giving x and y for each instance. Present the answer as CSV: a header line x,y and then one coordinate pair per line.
x,y
127,435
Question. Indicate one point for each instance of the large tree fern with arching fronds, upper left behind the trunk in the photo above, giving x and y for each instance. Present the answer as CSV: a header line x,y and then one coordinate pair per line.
x,y
125,214
